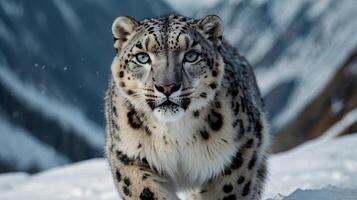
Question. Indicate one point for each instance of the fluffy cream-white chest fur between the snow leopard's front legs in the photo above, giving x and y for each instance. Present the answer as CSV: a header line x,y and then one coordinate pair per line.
x,y
191,156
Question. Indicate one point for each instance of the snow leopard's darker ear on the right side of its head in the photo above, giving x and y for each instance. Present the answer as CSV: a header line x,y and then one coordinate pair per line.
x,y
212,28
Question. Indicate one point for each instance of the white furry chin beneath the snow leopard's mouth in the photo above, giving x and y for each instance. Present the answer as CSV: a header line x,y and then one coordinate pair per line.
x,y
168,112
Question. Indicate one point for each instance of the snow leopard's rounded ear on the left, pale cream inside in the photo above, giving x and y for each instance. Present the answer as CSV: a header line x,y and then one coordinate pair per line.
x,y
122,27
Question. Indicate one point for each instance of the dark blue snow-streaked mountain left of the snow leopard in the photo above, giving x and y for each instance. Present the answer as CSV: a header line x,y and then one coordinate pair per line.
x,y
54,63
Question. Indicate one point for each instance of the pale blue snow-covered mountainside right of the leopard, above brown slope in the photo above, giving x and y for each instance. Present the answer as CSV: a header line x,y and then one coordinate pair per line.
x,y
295,46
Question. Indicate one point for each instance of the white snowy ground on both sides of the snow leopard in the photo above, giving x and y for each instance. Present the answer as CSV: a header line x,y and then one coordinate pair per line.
x,y
318,170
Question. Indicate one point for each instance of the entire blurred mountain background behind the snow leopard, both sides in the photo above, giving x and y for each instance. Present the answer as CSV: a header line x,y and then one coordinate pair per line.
x,y
55,57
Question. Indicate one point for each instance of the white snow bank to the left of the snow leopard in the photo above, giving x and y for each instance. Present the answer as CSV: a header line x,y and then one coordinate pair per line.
x,y
84,180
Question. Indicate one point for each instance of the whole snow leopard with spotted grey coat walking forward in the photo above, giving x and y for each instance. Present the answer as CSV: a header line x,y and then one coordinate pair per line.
x,y
183,113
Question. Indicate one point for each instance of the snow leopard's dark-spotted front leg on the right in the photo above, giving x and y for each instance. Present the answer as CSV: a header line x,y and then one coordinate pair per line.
x,y
242,180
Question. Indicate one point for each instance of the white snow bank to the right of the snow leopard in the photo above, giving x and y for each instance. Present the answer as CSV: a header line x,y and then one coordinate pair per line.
x,y
315,165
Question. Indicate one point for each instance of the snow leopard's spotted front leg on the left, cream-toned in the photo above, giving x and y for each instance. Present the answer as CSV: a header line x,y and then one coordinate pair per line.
x,y
135,180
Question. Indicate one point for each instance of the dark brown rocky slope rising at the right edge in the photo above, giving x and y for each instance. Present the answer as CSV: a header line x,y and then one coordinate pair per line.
x,y
336,101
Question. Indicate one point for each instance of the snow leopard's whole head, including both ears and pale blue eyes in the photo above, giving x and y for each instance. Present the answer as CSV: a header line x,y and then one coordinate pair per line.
x,y
169,65
